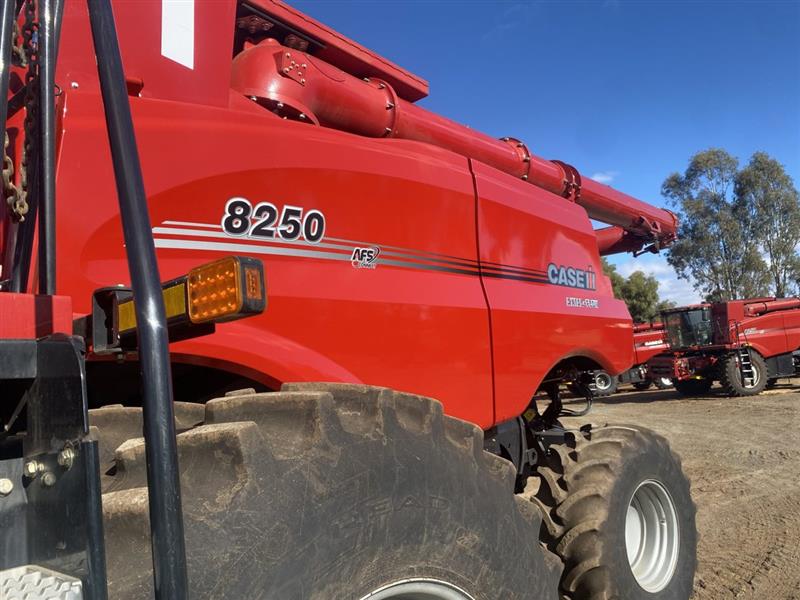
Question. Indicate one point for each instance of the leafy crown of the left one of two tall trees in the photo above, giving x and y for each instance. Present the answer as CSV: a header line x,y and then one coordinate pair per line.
x,y
714,248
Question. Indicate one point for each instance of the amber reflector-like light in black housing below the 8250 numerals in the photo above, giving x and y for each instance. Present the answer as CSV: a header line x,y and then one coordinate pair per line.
x,y
226,289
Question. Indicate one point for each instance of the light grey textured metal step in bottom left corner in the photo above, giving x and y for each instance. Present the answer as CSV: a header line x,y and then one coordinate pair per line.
x,y
32,582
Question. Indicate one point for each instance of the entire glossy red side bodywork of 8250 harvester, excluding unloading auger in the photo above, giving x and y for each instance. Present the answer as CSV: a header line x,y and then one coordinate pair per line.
x,y
442,314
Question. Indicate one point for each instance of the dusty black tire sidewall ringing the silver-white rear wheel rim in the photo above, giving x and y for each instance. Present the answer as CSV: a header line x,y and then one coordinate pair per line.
x,y
652,463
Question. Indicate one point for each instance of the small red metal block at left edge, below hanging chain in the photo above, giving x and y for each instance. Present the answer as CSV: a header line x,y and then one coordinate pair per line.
x,y
25,316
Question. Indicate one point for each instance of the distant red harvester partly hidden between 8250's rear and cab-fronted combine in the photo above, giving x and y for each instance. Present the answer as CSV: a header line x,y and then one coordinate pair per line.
x,y
649,340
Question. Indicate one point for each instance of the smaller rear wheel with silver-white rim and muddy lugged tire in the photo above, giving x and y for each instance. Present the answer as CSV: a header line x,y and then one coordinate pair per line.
x,y
619,513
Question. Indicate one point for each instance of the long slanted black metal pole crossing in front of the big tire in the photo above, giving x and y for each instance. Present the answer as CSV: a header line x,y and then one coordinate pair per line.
x,y
166,517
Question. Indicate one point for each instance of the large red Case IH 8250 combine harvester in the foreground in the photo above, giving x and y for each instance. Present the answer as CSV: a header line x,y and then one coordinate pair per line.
x,y
401,249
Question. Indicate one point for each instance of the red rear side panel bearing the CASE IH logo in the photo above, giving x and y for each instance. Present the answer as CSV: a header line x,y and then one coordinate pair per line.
x,y
529,240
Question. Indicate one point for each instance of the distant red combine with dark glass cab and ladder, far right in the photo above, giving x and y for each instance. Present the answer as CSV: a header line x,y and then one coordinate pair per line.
x,y
746,345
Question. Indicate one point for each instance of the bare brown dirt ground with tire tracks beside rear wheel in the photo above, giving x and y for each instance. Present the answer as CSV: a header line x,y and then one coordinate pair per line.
x,y
743,457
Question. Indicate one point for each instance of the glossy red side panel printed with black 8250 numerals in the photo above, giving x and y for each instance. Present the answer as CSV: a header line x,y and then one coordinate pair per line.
x,y
417,321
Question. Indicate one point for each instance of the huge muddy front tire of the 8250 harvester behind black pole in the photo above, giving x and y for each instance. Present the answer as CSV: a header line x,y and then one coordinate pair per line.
x,y
334,492
